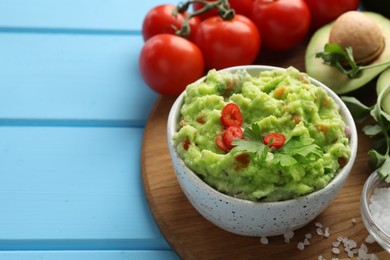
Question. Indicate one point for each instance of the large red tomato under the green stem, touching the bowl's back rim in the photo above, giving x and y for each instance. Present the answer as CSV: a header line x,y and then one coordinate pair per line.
x,y
228,43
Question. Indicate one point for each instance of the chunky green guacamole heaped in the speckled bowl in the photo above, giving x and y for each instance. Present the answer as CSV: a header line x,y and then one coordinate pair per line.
x,y
283,102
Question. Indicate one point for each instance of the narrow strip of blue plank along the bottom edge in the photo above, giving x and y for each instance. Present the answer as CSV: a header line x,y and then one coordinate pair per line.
x,y
82,255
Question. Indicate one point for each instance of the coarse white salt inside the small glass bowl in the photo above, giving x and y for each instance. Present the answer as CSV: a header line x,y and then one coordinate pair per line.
x,y
380,208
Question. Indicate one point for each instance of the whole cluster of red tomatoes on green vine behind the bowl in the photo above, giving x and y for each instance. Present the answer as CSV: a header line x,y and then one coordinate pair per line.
x,y
180,46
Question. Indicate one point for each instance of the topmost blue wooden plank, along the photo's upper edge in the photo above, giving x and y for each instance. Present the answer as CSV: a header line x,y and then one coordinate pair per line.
x,y
84,15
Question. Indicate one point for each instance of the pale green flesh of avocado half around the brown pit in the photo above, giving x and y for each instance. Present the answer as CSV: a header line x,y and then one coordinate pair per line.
x,y
332,77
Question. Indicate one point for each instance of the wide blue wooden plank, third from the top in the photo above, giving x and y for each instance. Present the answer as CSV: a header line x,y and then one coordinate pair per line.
x,y
73,188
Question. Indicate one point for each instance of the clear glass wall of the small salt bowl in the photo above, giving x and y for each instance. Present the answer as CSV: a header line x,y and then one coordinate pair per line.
x,y
369,221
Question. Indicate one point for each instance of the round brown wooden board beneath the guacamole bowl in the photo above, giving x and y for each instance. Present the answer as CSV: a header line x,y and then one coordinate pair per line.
x,y
193,237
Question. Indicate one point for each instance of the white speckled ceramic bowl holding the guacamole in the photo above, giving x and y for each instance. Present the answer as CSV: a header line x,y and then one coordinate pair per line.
x,y
250,218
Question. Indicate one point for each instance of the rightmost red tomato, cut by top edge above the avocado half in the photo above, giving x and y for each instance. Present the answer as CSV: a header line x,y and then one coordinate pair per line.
x,y
325,11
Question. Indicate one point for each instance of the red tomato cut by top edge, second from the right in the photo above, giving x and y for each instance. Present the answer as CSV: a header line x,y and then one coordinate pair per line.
x,y
283,23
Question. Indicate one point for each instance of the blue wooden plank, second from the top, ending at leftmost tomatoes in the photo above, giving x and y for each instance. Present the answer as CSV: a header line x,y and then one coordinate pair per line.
x,y
90,78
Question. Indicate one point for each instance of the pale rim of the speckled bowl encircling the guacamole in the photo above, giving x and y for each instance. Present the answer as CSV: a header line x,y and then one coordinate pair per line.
x,y
343,174
